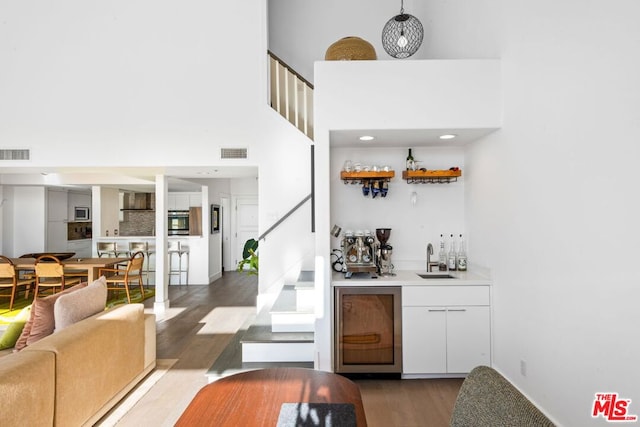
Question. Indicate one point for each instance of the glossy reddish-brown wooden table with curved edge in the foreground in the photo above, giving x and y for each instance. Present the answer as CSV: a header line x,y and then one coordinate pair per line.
x,y
254,398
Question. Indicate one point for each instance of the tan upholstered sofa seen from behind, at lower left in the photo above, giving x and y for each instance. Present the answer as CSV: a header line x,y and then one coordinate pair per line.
x,y
74,376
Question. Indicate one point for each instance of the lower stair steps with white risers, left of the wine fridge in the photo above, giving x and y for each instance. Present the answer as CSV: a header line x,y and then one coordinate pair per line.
x,y
280,335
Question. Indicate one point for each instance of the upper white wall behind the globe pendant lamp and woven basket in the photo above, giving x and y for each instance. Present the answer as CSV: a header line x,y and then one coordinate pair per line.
x,y
301,32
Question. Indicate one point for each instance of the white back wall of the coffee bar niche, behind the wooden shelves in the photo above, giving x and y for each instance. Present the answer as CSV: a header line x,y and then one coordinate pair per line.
x,y
439,208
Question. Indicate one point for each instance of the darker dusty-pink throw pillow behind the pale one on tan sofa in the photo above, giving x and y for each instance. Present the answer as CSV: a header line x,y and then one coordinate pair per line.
x,y
41,323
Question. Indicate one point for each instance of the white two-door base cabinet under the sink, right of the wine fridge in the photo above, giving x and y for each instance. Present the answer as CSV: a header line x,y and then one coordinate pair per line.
x,y
446,329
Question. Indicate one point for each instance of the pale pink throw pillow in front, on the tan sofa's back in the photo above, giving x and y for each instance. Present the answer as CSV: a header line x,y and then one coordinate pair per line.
x,y
72,308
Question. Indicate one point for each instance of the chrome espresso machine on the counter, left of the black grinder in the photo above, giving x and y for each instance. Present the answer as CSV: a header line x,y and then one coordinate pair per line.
x,y
360,253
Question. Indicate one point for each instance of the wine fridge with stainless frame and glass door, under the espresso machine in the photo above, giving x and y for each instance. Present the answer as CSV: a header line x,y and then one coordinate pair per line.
x,y
368,329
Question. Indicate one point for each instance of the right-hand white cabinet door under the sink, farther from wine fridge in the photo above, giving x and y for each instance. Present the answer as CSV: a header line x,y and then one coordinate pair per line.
x,y
468,338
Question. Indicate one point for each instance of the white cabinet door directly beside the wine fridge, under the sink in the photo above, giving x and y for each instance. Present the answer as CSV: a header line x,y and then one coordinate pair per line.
x,y
424,341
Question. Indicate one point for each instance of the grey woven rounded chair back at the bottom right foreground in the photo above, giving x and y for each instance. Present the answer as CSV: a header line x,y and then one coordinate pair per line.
x,y
488,399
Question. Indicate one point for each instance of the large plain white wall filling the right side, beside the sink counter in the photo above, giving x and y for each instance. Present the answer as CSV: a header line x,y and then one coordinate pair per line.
x,y
551,201
